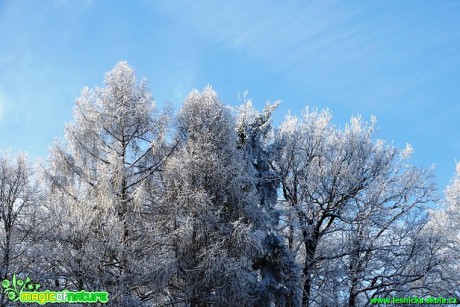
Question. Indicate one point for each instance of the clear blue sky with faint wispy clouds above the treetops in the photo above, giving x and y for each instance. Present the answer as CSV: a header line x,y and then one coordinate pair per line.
x,y
398,60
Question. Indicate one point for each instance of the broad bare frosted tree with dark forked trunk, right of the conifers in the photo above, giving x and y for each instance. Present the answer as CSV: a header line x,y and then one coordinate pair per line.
x,y
343,184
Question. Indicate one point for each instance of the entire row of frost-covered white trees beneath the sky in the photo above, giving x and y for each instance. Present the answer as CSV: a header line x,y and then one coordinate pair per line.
x,y
214,206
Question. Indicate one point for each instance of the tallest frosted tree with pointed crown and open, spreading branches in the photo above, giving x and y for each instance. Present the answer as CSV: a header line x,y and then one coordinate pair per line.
x,y
105,186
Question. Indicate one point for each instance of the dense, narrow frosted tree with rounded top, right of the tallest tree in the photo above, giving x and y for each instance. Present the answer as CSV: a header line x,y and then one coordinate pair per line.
x,y
213,209
